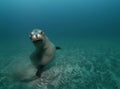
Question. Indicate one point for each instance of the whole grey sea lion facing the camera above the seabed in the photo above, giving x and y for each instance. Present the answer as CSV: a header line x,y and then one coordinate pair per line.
x,y
44,52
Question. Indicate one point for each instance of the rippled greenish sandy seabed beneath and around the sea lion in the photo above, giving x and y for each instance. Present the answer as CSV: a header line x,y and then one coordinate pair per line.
x,y
76,66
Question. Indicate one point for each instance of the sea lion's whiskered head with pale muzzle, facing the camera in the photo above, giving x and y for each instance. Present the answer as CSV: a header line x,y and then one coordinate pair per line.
x,y
37,35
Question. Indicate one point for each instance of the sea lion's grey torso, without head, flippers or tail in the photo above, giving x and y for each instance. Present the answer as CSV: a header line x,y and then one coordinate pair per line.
x,y
44,54
